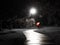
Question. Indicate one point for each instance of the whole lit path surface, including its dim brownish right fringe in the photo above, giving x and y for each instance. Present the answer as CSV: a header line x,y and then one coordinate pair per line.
x,y
35,38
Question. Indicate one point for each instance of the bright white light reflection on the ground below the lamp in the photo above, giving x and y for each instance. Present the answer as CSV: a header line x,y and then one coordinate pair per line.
x,y
34,38
